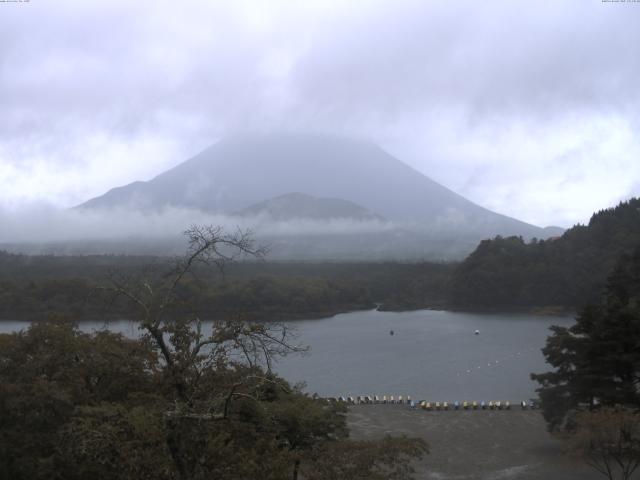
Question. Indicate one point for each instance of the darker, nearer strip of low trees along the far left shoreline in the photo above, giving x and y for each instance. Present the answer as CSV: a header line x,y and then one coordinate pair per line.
x,y
261,298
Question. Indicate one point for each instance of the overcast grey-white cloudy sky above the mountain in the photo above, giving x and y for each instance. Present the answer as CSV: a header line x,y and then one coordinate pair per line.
x,y
530,108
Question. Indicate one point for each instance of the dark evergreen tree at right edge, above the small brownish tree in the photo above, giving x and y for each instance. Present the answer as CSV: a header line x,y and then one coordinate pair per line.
x,y
597,360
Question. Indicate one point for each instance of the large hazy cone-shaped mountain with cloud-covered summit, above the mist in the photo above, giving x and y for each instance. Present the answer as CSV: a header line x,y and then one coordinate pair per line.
x,y
238,172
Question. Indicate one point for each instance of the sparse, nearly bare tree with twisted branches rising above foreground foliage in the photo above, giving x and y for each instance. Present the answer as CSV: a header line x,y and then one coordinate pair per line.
x,y
205,369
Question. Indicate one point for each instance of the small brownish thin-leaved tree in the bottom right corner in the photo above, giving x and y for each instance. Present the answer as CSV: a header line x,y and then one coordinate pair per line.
x,y
609,439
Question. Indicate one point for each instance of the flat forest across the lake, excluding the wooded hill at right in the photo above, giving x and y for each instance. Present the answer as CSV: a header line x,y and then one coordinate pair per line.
x,y
74,287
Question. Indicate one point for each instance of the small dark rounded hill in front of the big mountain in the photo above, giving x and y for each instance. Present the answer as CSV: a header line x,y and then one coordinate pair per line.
x,y
295,206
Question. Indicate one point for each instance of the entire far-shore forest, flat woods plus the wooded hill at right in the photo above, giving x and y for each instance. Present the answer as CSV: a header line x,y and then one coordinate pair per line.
x,y
502,273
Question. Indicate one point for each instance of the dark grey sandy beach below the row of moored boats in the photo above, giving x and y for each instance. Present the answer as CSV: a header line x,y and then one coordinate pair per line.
x,y
478,444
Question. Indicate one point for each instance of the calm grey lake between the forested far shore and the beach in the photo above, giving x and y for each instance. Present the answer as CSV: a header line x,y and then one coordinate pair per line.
x,y
432,354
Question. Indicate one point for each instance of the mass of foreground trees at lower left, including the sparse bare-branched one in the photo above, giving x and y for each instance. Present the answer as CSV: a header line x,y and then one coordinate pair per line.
x,y
187,400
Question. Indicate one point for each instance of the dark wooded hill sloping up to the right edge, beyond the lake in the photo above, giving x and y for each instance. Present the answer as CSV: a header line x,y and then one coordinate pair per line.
x,y
568,271
